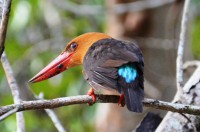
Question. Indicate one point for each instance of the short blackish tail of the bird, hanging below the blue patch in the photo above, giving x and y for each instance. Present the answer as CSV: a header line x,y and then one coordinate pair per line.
x,y
133,99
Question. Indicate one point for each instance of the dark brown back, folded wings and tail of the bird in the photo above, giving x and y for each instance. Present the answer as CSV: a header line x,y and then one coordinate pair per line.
x,y
102,62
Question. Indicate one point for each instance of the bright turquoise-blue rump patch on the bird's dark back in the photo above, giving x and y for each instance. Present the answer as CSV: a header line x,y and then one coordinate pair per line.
x,y
128,72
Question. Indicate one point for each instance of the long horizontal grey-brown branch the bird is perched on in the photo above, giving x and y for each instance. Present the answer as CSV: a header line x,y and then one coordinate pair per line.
x,y
83,99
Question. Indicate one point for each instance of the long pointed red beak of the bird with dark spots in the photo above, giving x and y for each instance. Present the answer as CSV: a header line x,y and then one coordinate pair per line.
x,y
57,66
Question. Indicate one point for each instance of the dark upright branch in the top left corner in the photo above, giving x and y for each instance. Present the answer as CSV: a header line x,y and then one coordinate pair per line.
x,y
4,24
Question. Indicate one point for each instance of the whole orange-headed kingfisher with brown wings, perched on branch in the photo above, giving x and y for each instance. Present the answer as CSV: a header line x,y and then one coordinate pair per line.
x,y
108,63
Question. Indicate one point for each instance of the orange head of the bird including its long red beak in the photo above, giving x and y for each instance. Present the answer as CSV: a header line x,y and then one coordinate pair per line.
x,y
72,56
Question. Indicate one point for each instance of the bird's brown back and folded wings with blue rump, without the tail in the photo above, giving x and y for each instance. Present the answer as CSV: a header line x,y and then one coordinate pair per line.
x,y
110,64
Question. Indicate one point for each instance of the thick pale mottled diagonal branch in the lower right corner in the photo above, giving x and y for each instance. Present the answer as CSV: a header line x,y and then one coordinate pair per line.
x,y
189,96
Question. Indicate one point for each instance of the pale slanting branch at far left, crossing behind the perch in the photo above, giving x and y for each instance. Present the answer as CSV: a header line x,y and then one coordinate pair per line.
x,y
15,91
